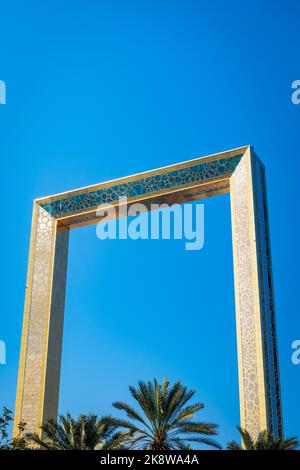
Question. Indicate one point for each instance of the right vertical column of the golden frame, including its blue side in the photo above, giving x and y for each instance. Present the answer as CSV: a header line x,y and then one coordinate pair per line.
x,y
254,296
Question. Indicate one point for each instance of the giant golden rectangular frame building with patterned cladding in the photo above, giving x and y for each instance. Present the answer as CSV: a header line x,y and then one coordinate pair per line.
x,y
239,172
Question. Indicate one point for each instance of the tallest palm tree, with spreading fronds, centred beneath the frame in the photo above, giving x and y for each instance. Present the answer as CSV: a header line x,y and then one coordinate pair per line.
x,y
165,421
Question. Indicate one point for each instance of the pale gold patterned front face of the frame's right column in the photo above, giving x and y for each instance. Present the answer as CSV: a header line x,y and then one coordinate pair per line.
x,y
251,380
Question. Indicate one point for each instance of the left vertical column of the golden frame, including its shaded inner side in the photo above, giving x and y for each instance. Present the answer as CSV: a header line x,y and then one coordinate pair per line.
x,y
40,357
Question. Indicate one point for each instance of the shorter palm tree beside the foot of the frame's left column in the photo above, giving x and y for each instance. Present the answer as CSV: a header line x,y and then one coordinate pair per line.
x,y
87,433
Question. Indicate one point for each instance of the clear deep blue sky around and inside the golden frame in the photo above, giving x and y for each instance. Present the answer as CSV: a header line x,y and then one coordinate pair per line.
x,y
102,89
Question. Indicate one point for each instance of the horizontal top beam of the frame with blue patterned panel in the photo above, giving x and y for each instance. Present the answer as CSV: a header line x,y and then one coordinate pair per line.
x,y
206,172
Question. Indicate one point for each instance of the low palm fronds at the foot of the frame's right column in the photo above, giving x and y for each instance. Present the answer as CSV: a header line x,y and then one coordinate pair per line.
x,y
264,441
